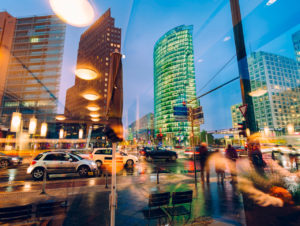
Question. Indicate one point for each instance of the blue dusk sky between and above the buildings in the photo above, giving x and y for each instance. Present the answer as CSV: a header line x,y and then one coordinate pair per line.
x,y
267,27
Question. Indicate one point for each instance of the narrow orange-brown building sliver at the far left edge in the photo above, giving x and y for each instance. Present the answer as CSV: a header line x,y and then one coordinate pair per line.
x,y
7,30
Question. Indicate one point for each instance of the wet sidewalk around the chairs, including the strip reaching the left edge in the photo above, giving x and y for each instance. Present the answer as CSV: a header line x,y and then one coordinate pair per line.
x,y
213,204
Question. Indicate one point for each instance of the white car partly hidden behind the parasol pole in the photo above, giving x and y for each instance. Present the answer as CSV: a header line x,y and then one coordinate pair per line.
x,y
103,155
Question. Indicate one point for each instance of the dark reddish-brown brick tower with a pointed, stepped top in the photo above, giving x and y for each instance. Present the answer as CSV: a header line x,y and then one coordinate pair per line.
x,y
95,46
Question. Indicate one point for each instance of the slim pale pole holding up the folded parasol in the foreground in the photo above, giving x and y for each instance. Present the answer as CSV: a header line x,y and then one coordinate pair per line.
x,y
113,193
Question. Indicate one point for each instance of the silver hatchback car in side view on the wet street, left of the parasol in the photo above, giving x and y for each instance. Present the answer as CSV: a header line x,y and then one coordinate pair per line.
x,y
60,162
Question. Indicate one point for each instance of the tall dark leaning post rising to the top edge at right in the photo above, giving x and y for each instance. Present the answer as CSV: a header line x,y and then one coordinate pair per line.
x,y
242,64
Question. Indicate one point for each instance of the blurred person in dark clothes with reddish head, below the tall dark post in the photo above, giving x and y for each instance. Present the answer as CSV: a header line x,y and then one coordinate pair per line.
x,y
256,158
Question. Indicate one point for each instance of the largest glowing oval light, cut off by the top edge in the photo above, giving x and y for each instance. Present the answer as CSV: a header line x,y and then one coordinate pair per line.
x,y
79,13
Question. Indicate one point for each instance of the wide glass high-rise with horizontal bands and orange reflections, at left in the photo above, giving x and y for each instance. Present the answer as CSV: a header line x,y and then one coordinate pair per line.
x,y
33,75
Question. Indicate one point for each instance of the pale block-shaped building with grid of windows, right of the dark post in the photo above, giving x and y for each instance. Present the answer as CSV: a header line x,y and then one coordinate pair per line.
x,y
279,75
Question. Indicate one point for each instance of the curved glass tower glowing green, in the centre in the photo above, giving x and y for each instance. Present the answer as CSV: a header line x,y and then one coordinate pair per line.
x,y
174,84
